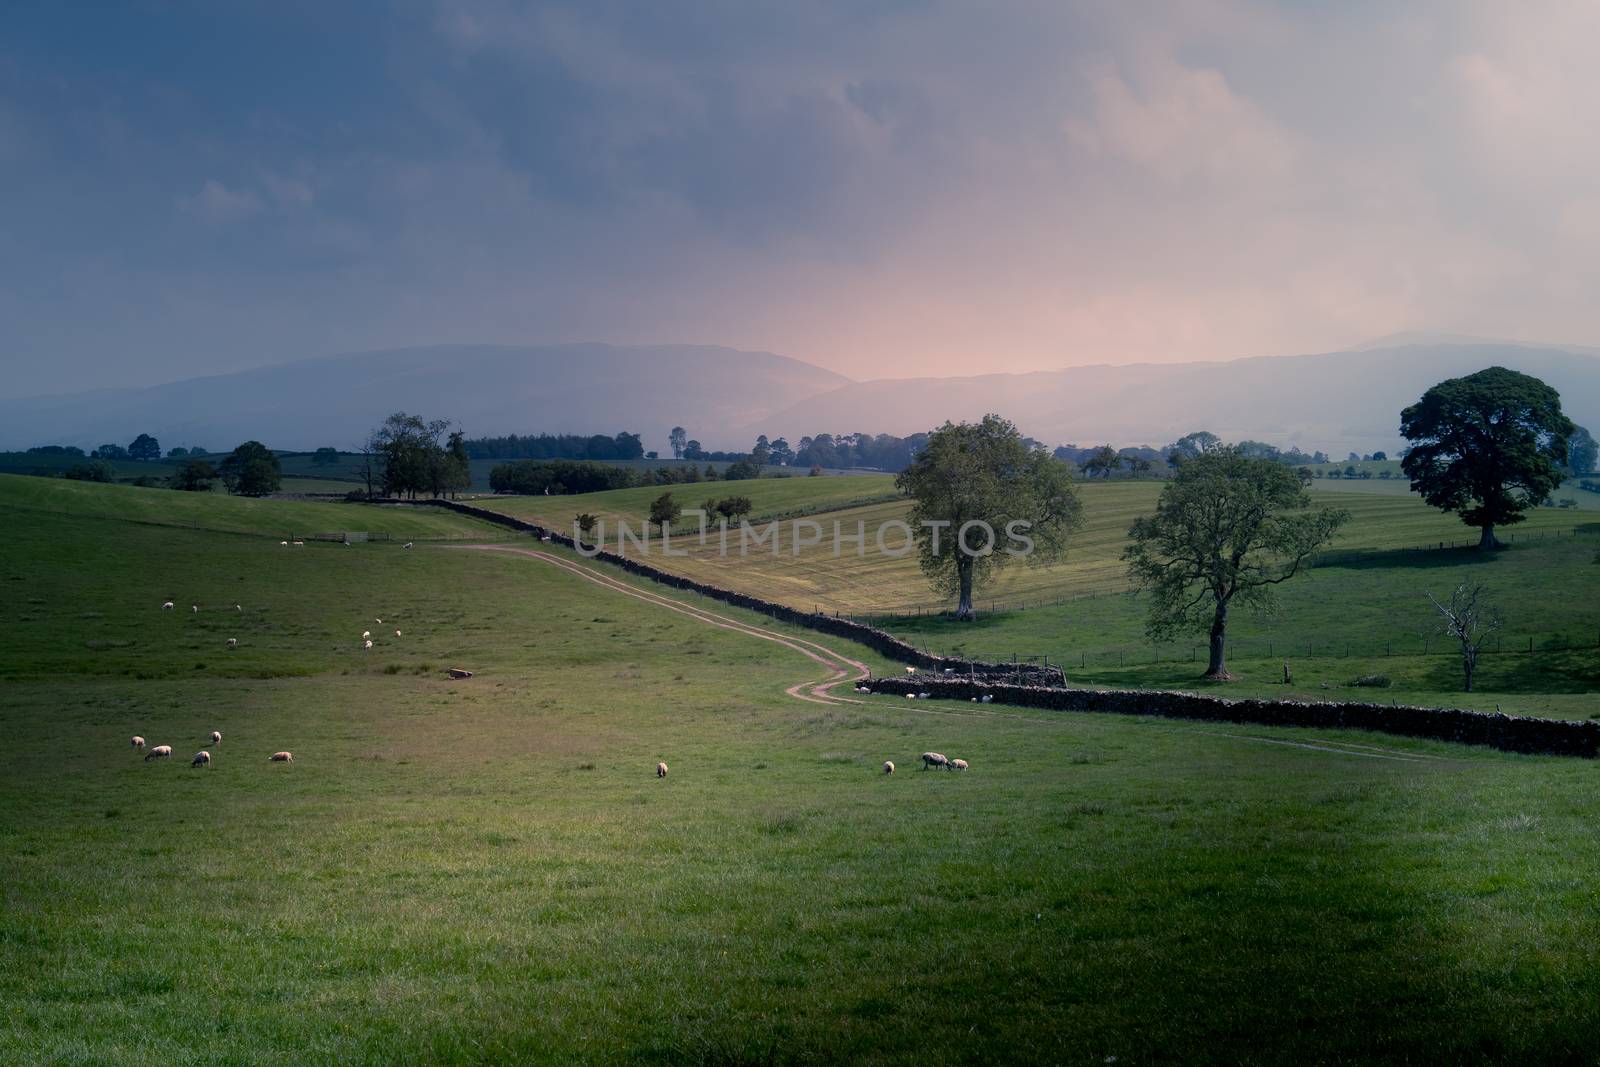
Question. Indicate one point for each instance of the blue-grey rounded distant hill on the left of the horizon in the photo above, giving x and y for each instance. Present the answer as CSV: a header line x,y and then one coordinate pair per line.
x,y
489,390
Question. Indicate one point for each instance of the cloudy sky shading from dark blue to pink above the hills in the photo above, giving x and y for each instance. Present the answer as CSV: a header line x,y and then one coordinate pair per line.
x,y
884,190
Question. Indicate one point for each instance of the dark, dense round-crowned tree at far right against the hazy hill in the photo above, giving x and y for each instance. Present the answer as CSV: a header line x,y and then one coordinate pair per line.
x,y
1487,447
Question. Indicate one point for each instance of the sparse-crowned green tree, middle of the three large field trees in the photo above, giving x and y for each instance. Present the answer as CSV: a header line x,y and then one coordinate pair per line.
x,y
1226,529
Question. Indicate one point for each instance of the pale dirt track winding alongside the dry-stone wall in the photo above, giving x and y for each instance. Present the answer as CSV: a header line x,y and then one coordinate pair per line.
x,y
846,669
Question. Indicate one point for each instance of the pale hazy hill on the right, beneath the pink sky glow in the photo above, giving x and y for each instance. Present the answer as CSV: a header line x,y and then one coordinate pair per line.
x,y
1338,402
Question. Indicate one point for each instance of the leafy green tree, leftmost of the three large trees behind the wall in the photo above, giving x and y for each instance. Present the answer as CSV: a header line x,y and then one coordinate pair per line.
x,y
977,476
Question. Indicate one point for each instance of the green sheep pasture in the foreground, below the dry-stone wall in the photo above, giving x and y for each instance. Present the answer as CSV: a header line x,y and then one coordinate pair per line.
x,y
487,871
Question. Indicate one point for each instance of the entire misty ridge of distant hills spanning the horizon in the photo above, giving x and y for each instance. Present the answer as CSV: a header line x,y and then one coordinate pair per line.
x,y
1337,402
